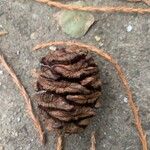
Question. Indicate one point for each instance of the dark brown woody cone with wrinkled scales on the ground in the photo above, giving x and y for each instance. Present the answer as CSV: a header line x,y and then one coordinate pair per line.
x,y
69,89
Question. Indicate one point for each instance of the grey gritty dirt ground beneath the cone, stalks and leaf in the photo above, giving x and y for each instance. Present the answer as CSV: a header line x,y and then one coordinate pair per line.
x,y
125,36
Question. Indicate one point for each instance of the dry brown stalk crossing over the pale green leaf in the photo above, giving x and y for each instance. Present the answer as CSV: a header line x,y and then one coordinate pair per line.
x,y
105,9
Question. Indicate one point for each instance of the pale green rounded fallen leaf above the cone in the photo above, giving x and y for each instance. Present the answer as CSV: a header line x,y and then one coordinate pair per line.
x,y
75,23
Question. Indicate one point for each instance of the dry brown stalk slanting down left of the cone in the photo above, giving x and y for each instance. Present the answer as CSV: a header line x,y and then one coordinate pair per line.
x,y
26,98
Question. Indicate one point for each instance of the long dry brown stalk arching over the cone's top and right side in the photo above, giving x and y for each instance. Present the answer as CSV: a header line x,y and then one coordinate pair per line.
x,y
121,74
